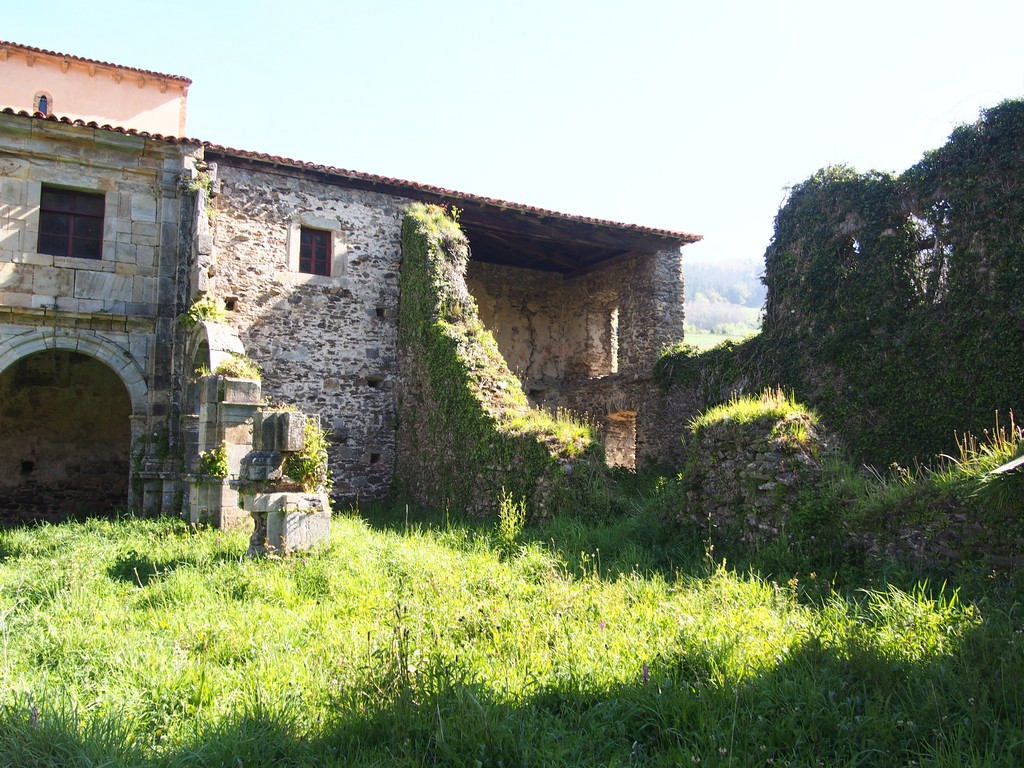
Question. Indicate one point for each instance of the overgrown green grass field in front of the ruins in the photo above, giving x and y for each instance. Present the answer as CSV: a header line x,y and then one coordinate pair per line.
x,y
433,643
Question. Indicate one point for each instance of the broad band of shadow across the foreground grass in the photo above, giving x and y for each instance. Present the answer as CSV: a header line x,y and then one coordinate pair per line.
x,y
822,704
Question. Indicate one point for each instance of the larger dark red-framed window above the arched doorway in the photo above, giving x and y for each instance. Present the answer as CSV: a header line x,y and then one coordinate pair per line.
x,y
71,224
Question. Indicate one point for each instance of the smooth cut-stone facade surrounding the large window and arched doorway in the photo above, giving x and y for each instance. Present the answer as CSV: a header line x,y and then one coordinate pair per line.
x,y
118,310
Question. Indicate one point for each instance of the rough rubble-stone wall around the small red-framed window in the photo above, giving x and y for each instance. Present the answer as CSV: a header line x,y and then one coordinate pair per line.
x,y
326,345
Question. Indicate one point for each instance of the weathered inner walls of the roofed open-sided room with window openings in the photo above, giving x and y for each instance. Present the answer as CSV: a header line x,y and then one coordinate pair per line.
x,y
589,344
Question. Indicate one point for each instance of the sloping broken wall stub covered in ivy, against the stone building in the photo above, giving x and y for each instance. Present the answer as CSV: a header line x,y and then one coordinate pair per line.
x,y
467,437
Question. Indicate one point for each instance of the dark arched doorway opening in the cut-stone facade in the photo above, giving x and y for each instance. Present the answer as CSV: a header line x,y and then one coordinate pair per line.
x,y
65,438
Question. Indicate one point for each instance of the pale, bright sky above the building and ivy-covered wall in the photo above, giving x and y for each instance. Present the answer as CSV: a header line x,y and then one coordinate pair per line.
x,y
692,116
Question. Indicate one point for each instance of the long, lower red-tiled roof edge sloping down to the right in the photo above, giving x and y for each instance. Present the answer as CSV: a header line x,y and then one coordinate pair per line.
x,y
398,185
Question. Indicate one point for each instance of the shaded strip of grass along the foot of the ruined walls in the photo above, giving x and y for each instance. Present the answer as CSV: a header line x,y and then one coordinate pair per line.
x,y
649,542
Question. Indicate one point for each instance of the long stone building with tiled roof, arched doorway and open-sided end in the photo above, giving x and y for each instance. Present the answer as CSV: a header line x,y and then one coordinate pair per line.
x,y
108,235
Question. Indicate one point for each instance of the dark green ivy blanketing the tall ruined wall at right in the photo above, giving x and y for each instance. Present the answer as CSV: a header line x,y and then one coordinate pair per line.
x,y
895,305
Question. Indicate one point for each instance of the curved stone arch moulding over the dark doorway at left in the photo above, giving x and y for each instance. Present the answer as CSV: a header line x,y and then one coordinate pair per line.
x,y
115,356
